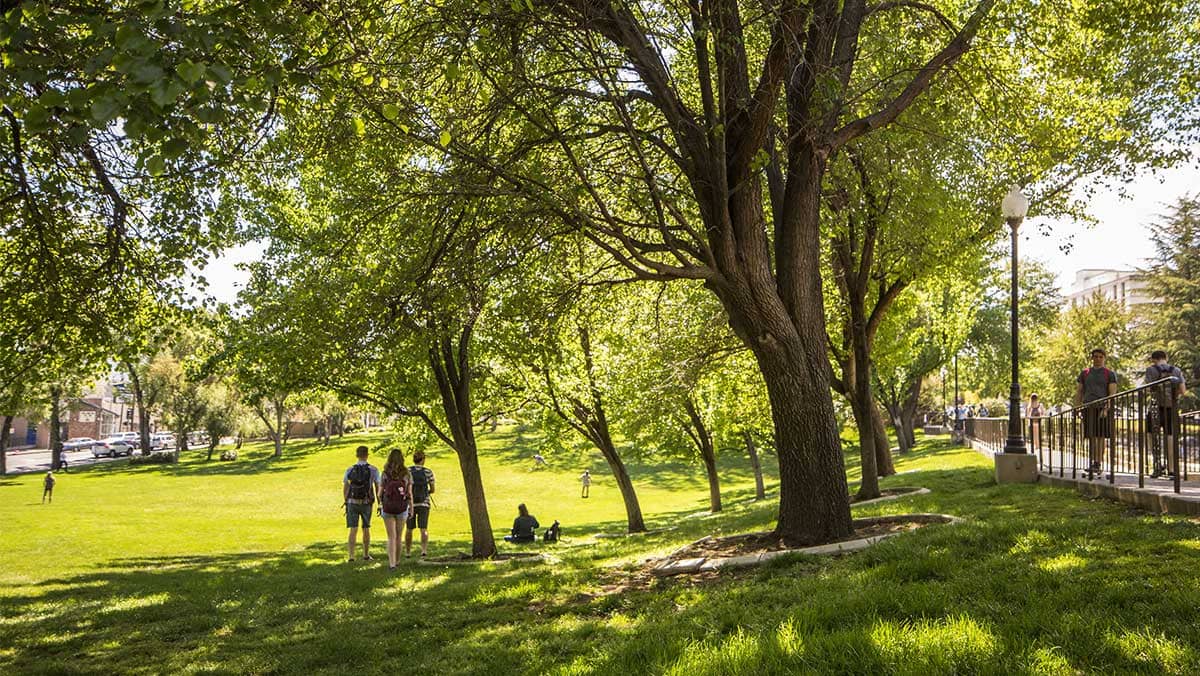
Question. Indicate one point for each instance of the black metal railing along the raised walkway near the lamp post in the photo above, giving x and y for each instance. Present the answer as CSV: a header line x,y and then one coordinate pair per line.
x,y
1129,434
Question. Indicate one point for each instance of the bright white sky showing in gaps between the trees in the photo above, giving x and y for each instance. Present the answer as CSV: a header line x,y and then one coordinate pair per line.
x,y
1120,240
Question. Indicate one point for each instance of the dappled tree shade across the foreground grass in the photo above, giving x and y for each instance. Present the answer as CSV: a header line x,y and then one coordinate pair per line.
x,y
1016,593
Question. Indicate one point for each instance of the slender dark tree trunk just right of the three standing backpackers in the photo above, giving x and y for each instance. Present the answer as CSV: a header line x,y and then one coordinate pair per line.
x,y
452,369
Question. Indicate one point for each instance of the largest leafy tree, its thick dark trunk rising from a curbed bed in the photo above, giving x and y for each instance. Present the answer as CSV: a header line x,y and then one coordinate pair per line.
x,y
693,142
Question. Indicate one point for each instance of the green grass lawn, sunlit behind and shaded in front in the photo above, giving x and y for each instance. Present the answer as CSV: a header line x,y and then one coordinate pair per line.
x,y
241,569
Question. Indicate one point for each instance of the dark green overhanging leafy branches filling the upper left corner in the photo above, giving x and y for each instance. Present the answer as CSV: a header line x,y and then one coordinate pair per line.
x,y
117,121
